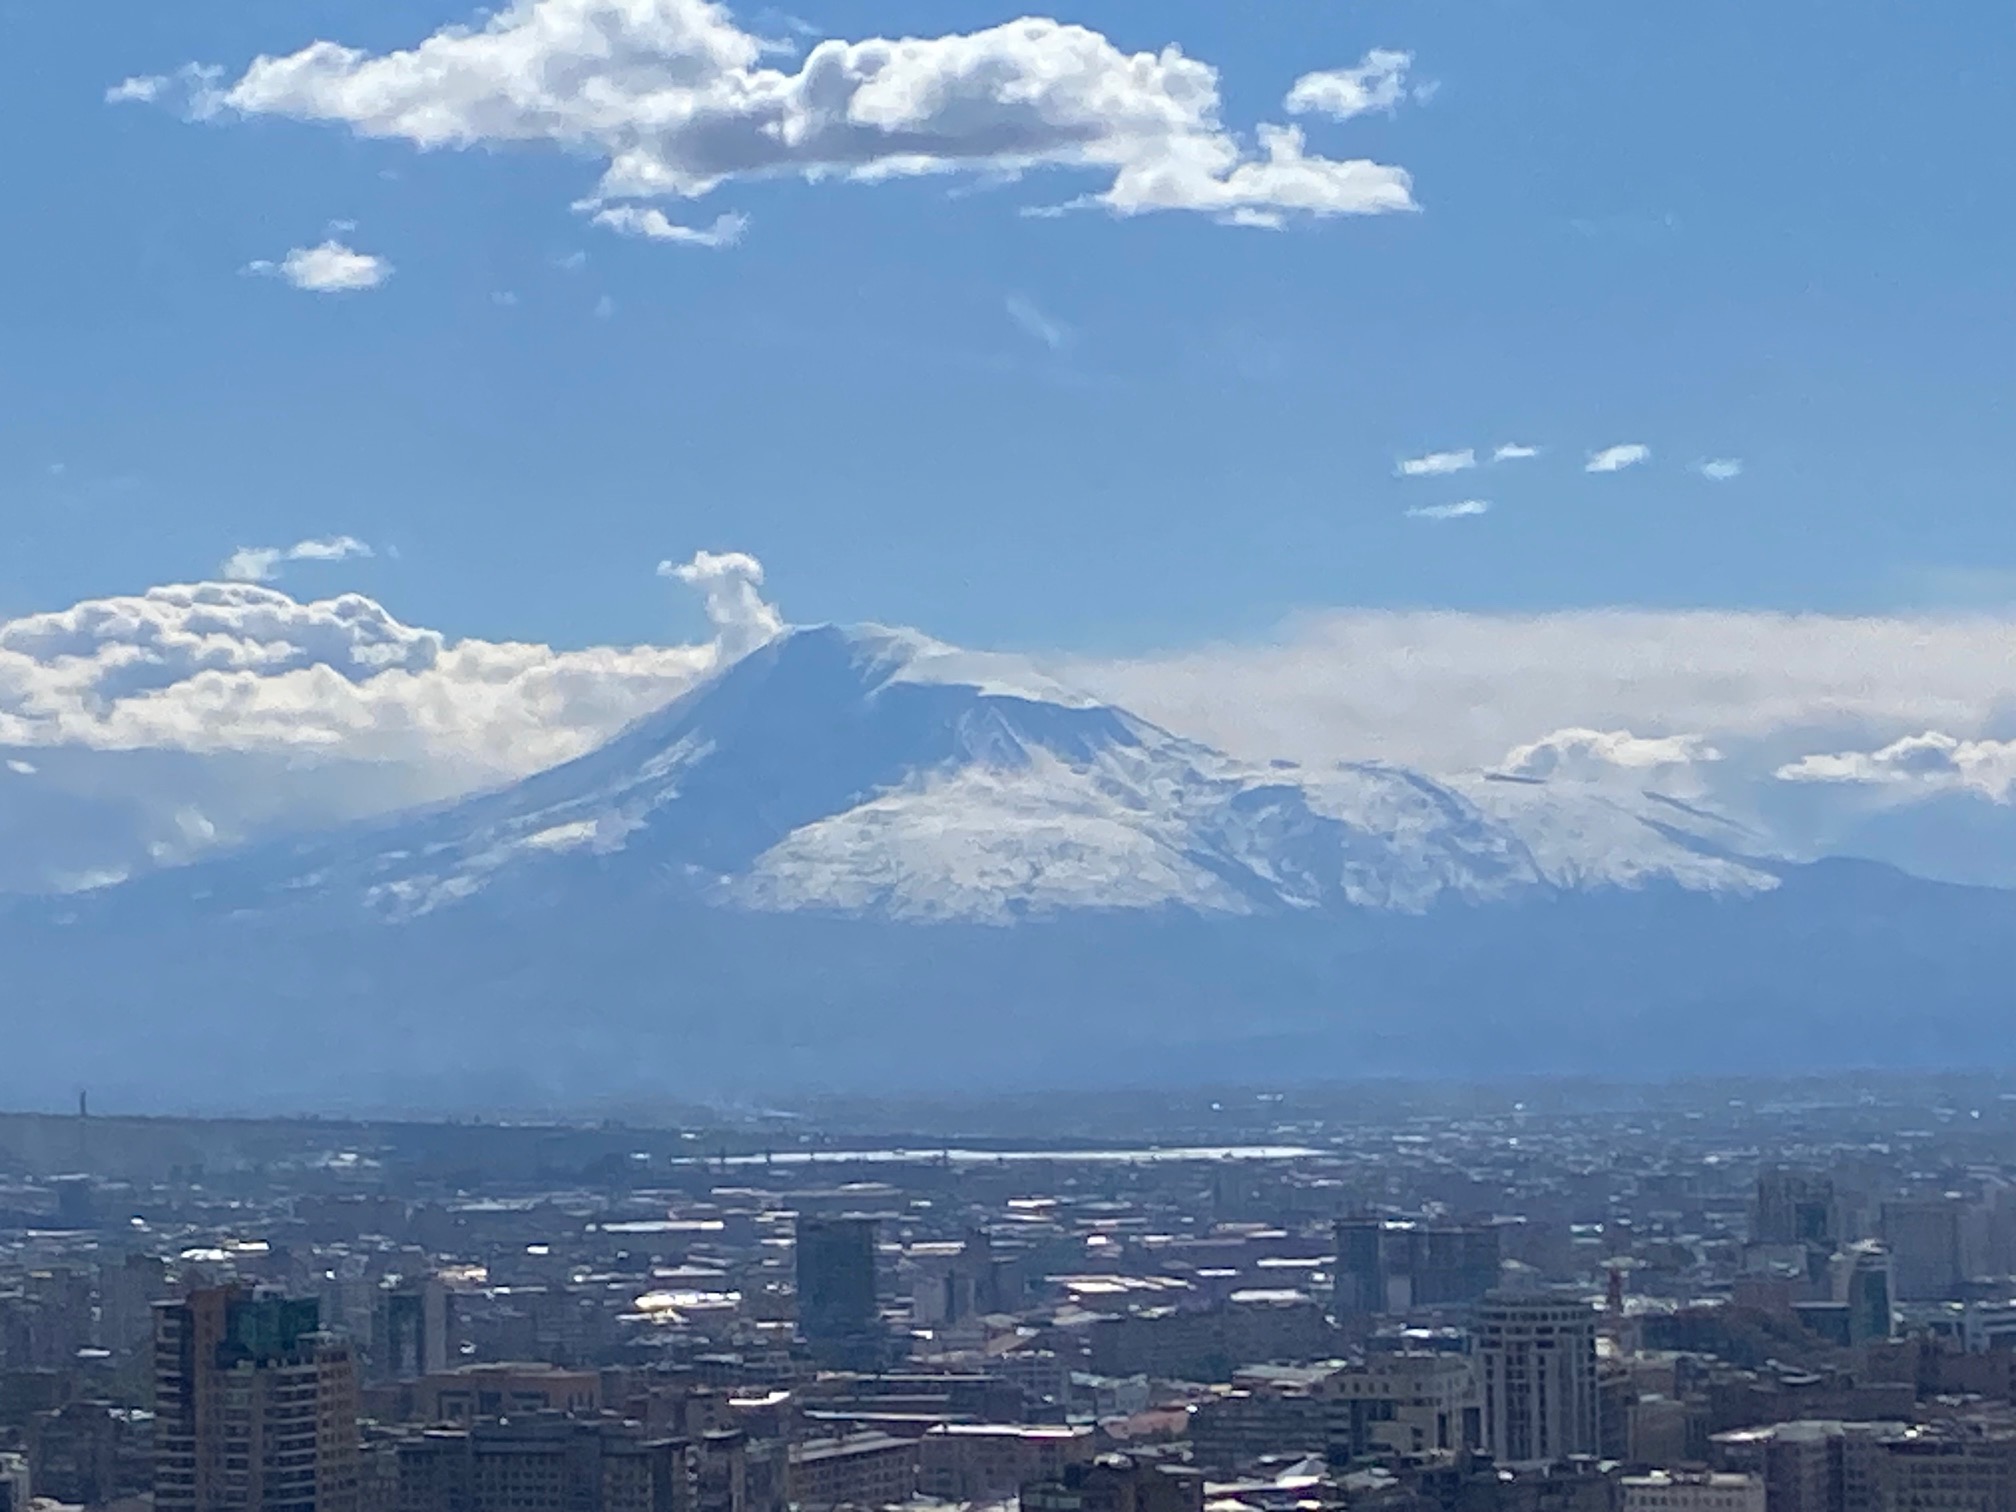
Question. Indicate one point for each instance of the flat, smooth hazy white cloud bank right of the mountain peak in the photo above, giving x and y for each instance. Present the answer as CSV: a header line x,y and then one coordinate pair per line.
x,y
1448,690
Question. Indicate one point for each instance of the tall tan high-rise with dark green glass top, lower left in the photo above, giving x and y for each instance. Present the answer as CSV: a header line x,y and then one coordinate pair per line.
x,y
255,1406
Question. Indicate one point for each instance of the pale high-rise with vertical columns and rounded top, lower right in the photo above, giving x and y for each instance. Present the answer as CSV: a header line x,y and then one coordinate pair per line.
x,y
1537,1358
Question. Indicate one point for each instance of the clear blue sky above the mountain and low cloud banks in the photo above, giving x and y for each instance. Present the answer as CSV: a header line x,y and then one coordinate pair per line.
x,y
1723,231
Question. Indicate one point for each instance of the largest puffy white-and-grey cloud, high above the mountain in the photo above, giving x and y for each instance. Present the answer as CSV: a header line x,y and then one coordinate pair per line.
x,y
676,100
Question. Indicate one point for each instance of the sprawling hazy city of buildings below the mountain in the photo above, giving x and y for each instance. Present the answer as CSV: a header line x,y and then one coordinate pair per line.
x,y
1713,1297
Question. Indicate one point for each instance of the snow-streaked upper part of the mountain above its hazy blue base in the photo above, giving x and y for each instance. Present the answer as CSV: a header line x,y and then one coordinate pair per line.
x,y
878,773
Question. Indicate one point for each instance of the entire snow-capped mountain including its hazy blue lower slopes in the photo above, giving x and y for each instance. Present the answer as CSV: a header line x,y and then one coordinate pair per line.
x,y
858,844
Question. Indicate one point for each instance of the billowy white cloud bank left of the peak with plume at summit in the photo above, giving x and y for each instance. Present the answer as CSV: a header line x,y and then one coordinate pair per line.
x,y
243,668
